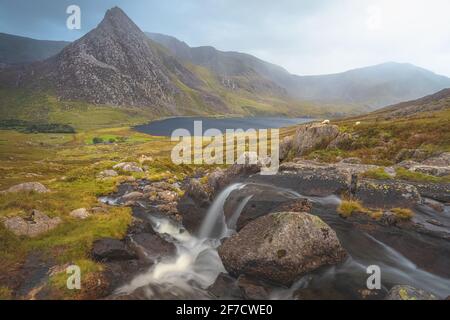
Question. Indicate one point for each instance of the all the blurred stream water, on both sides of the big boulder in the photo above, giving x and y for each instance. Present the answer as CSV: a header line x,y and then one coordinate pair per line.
x,y
196,264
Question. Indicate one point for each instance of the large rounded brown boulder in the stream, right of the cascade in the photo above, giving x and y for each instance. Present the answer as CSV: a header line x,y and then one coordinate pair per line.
x,y
281,247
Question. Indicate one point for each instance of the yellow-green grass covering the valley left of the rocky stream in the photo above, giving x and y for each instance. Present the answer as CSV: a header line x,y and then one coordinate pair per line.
x,y
68,165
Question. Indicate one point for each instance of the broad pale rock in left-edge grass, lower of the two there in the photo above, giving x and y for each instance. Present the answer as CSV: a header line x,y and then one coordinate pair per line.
x,y
38,223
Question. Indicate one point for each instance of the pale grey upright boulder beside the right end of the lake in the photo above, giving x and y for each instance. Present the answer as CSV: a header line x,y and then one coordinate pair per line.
x,y
311,136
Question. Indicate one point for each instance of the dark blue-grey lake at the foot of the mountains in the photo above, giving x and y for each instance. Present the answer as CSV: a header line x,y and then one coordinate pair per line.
x,y
167,126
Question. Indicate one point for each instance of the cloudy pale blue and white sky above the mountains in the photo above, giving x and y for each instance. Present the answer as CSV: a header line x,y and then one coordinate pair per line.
x,y
304,36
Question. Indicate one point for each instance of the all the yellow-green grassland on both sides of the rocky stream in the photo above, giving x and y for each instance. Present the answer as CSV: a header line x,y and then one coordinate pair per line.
x,y
71,167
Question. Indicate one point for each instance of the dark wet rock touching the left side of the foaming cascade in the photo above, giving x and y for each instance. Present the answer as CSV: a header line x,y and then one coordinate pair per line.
x,y
150,246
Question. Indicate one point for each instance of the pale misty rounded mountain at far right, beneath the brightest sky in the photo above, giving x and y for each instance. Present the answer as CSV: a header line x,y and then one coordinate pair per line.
x,y
374,86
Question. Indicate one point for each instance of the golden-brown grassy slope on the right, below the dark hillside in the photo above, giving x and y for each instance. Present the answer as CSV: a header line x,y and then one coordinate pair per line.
x,y
379,141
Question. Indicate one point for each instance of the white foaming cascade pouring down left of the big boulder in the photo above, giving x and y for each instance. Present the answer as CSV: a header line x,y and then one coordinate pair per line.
x,y
196,264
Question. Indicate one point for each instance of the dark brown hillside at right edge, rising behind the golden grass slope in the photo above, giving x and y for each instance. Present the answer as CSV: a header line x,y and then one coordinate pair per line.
x,y
435,102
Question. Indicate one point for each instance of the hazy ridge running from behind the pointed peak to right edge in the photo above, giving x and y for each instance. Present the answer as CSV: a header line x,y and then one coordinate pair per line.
x,y
371,87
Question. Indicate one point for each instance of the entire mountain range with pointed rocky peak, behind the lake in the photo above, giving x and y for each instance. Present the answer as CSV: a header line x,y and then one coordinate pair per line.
x,y
118,64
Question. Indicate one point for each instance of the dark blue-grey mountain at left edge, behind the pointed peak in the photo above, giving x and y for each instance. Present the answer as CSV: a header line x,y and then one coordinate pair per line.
x,y
15,49
